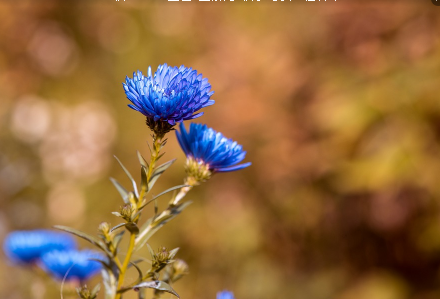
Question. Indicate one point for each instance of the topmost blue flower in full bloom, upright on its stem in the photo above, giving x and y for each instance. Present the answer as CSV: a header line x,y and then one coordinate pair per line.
x,y
172,95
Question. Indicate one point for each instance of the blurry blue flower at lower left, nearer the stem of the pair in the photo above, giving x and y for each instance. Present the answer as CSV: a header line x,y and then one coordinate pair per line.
x,y
72,264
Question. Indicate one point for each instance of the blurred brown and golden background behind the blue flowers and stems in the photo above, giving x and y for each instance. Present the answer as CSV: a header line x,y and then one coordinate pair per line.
x,y
336,104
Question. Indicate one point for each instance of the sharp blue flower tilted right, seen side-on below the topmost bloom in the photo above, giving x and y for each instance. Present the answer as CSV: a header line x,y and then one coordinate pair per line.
x,y
210,148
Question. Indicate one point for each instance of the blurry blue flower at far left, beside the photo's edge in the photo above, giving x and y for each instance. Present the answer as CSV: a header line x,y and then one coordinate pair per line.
x,y
28,246
